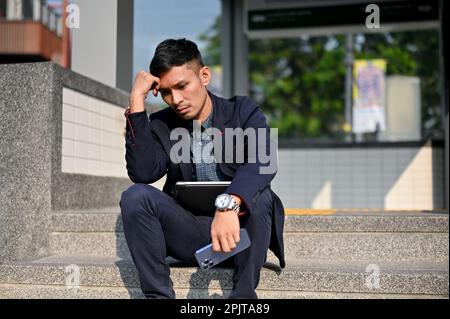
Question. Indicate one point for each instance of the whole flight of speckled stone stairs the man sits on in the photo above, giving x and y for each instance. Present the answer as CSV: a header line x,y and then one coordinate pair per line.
x,y
328,256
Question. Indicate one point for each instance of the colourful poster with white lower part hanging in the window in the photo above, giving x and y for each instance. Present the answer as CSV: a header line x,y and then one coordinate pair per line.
x,y
369,96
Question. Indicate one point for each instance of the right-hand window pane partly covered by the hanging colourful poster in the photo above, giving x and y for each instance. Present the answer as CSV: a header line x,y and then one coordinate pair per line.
x,y
413,91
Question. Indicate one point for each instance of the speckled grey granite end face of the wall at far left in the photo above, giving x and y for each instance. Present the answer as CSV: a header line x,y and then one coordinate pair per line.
x,y
27,97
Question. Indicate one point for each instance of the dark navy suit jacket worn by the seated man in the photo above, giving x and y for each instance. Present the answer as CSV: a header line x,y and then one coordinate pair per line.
x,y
148,147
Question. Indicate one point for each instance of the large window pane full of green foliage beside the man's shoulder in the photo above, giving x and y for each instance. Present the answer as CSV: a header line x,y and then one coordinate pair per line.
x,y
300,84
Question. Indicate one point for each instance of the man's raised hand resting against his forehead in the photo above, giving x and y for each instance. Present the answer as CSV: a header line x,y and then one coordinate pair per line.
x,y
143,84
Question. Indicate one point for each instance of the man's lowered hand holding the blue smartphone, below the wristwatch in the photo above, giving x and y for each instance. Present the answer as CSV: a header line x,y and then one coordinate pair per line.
x,y
225,230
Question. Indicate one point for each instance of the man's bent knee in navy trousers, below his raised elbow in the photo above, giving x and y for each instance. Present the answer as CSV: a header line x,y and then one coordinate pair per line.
x,y
137,195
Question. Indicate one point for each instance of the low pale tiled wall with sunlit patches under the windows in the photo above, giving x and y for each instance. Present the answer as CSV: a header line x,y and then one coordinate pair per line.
x,y
387,176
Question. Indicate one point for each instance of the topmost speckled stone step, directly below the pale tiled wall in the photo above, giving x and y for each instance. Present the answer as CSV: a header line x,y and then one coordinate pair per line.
x,y
108,220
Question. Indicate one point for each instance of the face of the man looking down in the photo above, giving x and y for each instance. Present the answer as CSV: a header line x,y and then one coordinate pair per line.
x,y
183,89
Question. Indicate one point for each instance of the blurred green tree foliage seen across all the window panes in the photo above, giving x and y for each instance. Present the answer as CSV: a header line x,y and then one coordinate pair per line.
x,y
300,82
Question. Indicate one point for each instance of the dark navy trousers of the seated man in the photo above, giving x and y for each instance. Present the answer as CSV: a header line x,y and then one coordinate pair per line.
x,y
156,226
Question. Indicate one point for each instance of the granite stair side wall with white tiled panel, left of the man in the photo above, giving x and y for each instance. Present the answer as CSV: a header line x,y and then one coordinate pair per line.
x,y
34,178
